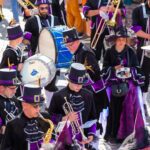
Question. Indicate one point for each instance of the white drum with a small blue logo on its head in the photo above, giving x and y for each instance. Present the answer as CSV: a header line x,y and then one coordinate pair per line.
x,y
38,70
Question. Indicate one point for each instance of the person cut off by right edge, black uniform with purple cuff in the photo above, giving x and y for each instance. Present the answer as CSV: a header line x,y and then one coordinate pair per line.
x,y
141,26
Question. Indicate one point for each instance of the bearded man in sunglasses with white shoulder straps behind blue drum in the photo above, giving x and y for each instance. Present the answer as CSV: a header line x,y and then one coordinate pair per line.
x,y
37,22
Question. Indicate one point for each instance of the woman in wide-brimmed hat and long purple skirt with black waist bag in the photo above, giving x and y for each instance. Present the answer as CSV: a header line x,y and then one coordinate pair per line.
x,y
123,88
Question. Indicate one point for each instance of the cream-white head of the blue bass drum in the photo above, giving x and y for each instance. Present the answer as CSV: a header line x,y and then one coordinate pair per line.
x,y
46,44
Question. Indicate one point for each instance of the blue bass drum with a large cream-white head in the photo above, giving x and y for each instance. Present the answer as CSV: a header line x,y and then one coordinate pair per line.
x,y
51,45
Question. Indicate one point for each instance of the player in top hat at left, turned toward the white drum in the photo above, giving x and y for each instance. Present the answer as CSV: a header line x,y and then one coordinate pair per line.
x,y
15,36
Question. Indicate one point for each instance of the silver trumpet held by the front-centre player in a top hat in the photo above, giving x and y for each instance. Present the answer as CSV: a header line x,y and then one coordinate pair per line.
x,y
74,125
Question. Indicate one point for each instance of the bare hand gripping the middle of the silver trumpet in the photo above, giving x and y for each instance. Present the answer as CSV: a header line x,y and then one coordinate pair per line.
x,y
72,116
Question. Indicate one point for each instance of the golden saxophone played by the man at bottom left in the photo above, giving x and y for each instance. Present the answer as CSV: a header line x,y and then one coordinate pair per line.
x,y
48,135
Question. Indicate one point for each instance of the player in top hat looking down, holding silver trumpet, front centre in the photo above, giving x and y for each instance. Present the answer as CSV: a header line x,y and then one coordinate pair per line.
x,y
80,101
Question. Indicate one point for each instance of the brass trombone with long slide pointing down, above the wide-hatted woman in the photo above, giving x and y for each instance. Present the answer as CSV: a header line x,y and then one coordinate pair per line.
x,y
103,22
